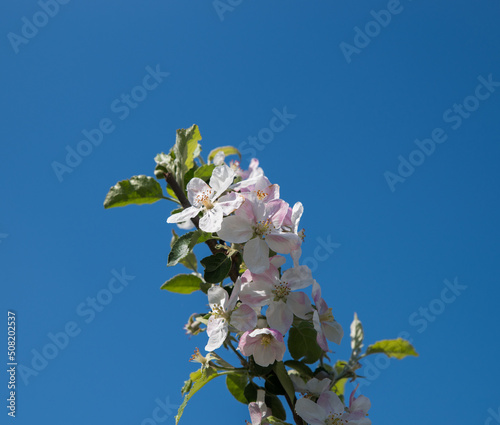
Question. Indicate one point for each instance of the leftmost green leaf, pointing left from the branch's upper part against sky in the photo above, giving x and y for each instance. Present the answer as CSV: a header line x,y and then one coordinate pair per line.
x,y
137,190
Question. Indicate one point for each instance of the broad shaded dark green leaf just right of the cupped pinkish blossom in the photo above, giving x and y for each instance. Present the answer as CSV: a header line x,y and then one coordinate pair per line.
x,y
302,343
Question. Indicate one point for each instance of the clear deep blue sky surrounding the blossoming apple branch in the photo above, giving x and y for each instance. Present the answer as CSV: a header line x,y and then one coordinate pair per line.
x,y
353,117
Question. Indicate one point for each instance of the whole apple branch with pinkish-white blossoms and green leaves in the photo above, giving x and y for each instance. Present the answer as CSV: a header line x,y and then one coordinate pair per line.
x,y
263,305
